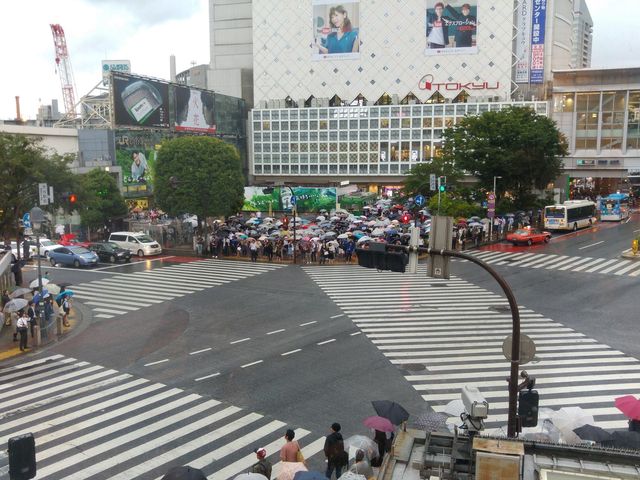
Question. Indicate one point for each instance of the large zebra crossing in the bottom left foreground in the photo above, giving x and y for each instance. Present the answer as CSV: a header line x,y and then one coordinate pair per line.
x,y
91,422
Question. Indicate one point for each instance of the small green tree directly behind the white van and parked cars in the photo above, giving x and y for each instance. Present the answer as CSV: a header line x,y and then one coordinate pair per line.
x,y
99,199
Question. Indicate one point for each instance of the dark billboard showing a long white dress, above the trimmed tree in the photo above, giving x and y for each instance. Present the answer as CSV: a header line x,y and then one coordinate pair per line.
x,y
194,110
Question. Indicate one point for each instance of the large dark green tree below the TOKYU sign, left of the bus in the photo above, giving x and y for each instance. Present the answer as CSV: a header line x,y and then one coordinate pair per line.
x,y
522,147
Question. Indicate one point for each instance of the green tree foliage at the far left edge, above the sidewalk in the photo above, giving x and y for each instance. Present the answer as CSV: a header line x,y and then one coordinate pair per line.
x,y
24,163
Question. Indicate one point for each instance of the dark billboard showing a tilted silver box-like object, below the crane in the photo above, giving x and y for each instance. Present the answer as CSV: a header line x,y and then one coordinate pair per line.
x,y
140,102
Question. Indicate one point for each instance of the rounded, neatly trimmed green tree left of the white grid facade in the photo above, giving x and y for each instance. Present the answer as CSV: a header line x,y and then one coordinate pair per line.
x,y
199,175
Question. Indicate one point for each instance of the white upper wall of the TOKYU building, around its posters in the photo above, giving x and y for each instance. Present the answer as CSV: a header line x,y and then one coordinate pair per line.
x,y
392,53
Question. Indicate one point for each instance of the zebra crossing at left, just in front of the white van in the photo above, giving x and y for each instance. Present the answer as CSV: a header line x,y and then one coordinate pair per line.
x,y
123,293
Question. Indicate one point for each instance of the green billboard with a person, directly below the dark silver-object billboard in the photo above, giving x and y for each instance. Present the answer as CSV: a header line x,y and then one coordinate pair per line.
x,y
136,152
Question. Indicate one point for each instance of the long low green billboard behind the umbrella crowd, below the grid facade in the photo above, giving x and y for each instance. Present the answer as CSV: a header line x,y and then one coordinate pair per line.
x,y
308,199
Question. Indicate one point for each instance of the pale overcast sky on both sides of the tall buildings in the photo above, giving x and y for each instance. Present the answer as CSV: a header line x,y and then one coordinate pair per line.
x,y
146,32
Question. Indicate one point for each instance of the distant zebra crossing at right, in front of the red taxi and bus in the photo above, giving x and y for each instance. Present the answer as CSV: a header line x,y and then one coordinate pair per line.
x,y
563,263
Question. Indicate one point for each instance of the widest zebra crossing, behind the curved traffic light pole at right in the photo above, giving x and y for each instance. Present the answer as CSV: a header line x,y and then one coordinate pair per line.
x,y
445,334
